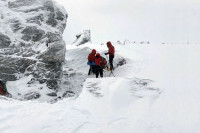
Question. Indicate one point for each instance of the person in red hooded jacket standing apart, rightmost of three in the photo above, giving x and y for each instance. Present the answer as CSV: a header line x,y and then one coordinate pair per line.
x,y
111,52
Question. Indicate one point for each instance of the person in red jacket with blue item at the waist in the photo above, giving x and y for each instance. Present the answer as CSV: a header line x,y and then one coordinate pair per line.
x,y
91,59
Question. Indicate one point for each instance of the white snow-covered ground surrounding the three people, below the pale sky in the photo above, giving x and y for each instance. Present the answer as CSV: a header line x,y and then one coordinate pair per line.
x,y
156,91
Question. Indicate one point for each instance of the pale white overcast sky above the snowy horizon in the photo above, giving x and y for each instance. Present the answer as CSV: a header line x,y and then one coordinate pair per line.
x,y
171,21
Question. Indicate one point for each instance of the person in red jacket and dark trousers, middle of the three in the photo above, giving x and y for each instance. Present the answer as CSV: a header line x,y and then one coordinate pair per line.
x,y
98,67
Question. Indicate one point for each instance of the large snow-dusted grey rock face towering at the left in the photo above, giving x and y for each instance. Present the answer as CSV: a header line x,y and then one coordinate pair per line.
x,y
31,41
